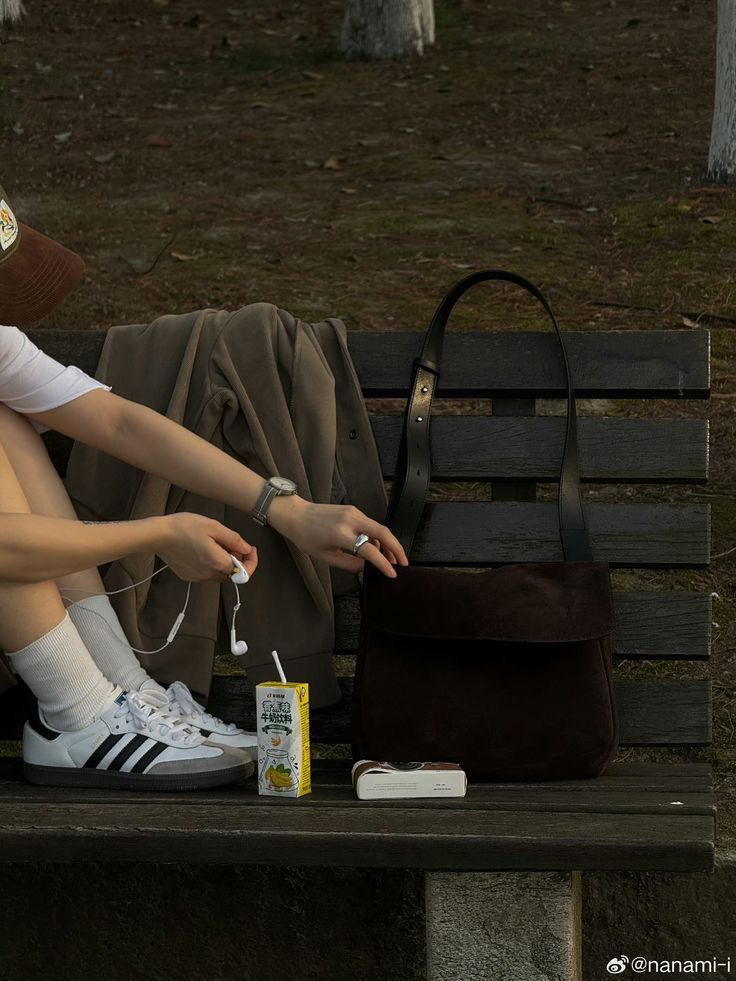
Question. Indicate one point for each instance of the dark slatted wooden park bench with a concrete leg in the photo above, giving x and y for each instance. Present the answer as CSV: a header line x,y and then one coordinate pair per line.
x,y
505,846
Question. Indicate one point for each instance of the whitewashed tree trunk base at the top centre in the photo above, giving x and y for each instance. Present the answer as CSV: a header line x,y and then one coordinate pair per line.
x,y
387,28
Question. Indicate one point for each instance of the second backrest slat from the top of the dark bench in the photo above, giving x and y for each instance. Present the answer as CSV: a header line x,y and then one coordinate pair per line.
x,y
517,448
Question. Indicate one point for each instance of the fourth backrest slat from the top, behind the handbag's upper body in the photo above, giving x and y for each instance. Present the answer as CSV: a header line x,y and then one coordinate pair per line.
x,y
651,626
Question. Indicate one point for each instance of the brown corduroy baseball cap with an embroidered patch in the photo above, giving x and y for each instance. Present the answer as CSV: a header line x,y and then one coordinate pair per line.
x,y
36,273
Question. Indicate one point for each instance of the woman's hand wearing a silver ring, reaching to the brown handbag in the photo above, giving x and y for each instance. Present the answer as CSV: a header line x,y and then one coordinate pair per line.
x,y
328,532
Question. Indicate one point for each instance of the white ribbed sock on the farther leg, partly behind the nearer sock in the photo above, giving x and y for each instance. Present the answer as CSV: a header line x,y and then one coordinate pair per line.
x,y
102,632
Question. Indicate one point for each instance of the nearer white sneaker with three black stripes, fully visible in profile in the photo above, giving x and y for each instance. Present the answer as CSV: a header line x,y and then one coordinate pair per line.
x,y
134,744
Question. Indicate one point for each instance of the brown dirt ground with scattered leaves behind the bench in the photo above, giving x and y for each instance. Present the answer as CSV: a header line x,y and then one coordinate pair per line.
x,y
213,154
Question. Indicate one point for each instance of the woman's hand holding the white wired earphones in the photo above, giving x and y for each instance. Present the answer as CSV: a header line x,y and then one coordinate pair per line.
x,y
198,548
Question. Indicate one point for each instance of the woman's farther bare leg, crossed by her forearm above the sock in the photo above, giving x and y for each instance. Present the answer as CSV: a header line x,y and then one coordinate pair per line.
x,y
44,490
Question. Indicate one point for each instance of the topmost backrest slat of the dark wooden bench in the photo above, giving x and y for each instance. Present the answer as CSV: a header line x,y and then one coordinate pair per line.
x,y
663,363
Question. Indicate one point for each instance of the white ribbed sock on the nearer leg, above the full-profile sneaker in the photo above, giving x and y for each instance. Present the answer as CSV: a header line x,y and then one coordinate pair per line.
x,y
70,688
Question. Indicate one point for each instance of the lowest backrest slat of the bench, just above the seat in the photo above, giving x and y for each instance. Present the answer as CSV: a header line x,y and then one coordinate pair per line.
x,y
659,712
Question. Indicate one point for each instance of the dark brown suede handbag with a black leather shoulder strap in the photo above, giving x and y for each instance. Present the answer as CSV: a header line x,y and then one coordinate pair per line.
x,y
504,670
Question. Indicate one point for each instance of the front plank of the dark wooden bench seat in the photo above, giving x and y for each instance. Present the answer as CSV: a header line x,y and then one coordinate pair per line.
x,y
257,832
